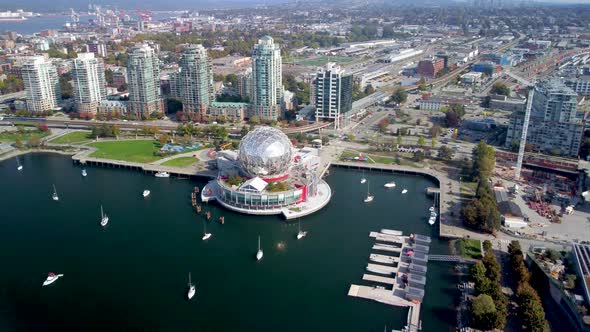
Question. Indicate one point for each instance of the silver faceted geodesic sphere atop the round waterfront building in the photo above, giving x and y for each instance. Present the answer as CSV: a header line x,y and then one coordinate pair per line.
x,y
265,152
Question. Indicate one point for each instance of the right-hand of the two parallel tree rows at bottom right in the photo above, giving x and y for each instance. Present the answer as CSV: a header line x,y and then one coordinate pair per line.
x,y
530,308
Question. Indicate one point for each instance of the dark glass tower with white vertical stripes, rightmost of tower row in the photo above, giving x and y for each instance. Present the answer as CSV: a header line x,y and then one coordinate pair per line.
x,y
333,94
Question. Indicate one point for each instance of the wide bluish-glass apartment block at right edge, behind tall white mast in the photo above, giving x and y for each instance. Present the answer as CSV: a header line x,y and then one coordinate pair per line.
x,y
555,126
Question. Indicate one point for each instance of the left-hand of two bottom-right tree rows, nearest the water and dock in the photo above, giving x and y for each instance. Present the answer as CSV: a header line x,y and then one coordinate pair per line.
x,y
490,308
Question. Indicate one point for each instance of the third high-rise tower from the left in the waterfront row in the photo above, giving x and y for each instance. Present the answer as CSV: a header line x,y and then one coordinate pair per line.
x,y
143,74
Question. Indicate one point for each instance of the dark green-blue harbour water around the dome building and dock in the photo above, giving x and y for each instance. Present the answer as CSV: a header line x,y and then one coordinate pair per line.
x,y
132,275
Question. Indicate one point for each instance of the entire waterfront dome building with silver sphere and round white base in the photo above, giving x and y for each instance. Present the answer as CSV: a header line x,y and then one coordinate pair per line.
x,y
268,176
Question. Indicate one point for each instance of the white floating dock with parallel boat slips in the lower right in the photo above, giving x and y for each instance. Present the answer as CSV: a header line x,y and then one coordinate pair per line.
x,y
403,272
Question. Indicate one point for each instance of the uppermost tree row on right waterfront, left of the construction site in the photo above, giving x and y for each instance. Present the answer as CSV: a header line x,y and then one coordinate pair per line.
x,y
482,212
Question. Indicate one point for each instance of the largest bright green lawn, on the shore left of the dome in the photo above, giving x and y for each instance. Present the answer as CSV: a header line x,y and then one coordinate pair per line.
x,y
134,151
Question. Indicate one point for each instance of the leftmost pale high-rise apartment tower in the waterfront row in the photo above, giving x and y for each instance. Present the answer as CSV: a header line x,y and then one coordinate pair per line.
x,y
41,84
